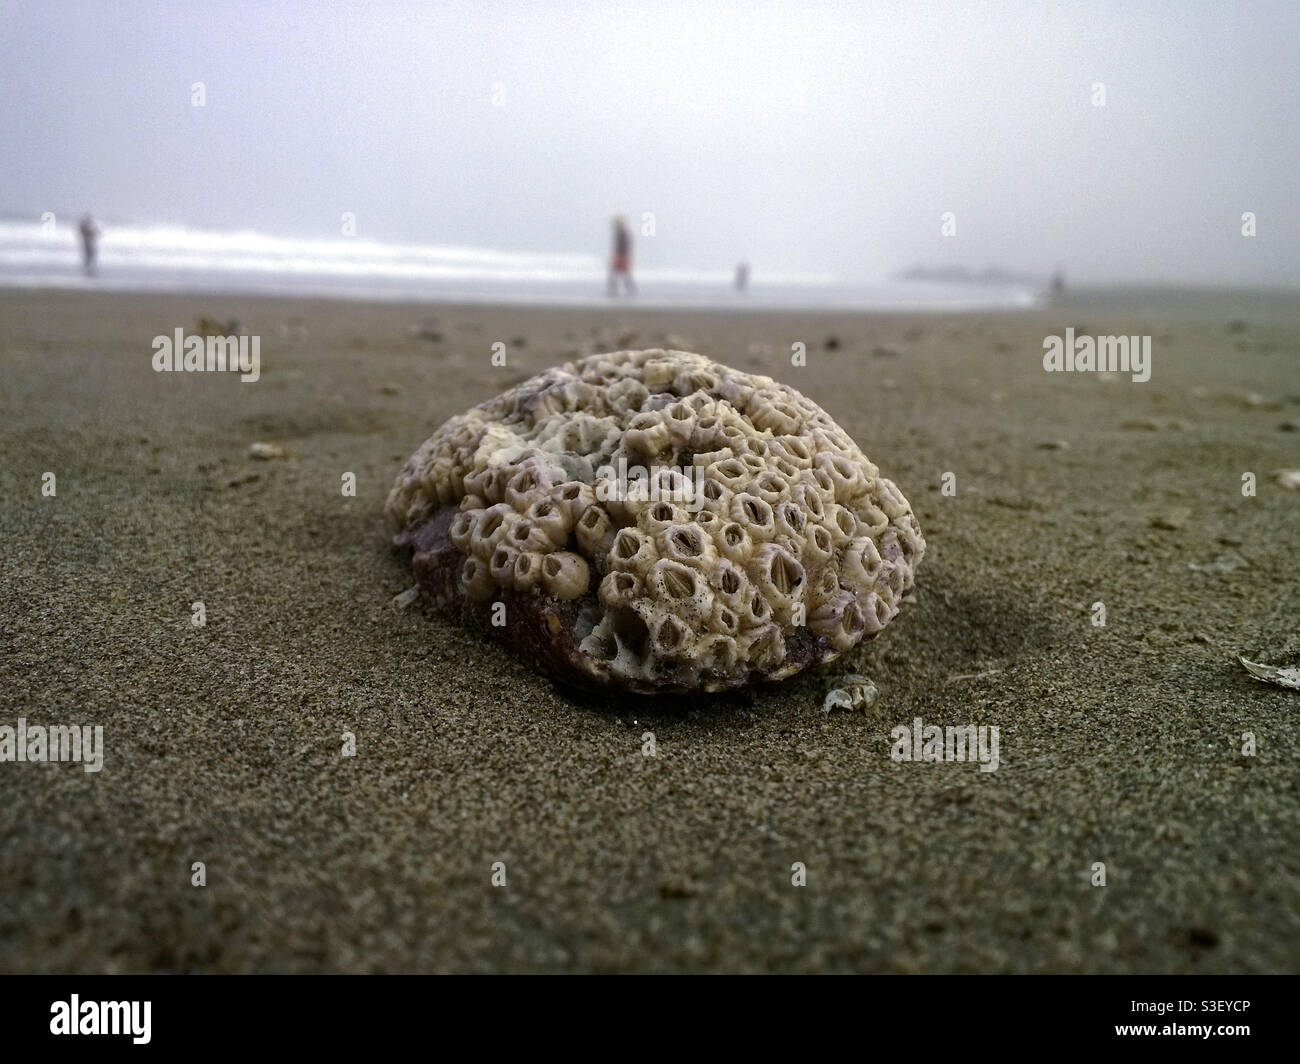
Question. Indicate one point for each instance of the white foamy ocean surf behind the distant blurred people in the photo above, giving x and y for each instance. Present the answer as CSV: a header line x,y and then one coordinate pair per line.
x,y
168,258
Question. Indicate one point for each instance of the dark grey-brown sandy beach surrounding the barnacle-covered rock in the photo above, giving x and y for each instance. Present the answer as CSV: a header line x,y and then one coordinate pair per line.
x,y
1120,745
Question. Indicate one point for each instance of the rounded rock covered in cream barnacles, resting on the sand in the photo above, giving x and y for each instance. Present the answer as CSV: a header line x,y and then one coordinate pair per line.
x,y
656,521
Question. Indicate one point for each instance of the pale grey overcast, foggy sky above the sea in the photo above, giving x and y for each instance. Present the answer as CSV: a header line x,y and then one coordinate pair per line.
x,y
799,136
